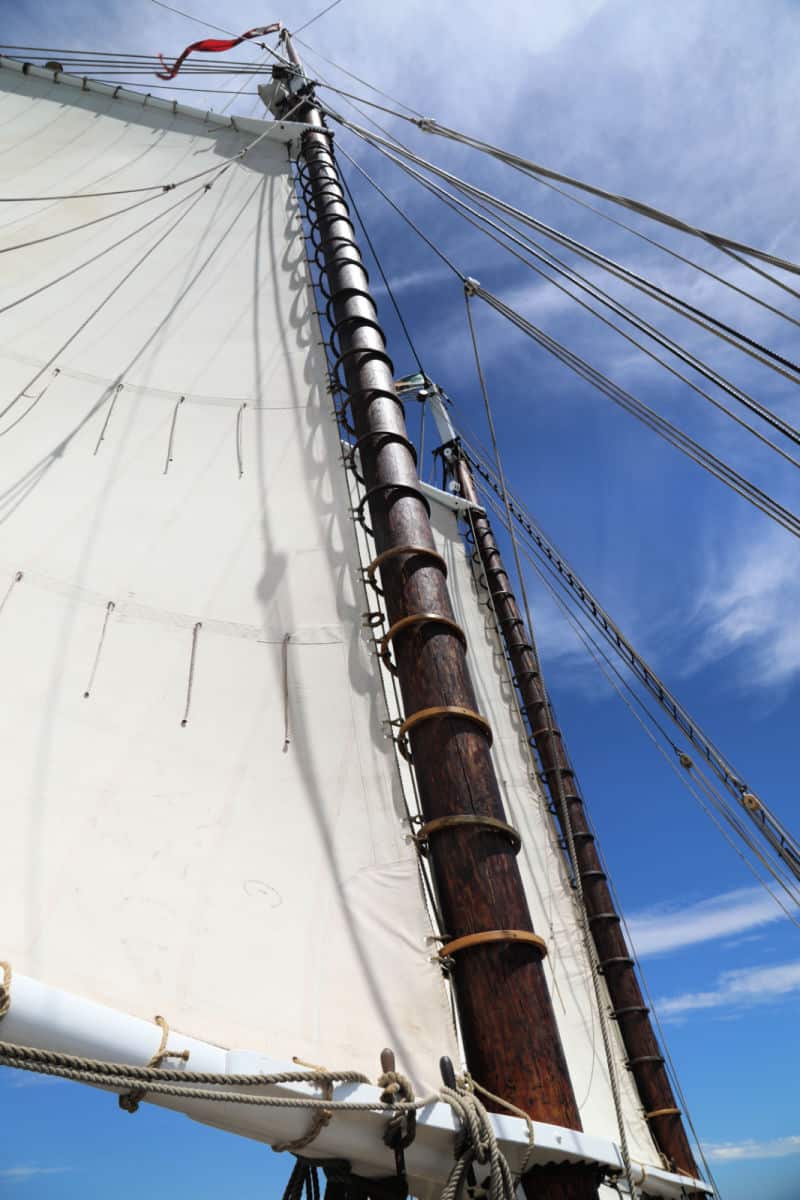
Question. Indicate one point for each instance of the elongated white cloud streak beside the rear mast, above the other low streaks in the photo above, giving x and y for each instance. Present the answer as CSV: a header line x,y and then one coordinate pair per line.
x,y
671,928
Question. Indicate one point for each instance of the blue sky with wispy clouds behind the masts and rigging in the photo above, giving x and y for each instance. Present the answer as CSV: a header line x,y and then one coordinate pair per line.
x,y
690,107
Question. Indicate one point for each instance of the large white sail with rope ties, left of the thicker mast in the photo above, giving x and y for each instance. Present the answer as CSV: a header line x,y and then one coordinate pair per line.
x,y
248,873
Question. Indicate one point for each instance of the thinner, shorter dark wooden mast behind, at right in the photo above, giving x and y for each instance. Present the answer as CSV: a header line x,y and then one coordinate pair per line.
x,y
629,1010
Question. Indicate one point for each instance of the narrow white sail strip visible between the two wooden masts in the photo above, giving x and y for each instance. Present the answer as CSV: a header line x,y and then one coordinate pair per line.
x,y
552,901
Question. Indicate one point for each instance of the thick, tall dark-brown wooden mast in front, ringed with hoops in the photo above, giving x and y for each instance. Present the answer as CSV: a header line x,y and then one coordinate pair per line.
x,y
512,1037
